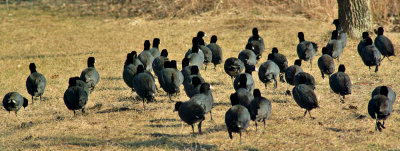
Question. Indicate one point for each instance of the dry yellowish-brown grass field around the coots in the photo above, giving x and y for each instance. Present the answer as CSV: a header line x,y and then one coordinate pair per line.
x,y
60,46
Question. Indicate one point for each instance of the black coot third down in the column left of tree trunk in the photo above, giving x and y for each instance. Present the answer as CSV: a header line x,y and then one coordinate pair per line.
x,y
325,63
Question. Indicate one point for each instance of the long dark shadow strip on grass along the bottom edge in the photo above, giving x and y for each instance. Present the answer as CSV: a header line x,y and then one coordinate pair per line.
x,y
160,141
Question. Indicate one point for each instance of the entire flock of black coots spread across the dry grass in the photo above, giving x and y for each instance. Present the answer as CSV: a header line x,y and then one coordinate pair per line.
x,y
247,102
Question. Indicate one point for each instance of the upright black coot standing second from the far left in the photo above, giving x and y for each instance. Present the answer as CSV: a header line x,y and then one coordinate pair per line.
x,y
35,83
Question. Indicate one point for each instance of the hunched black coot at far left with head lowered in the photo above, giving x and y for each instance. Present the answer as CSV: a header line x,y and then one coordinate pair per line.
x,y
13,101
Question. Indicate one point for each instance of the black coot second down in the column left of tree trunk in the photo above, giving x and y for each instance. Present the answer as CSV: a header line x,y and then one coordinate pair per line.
x,y
334,46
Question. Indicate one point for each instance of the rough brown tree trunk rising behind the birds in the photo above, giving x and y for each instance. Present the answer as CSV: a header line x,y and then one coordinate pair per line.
x,y
355,17
